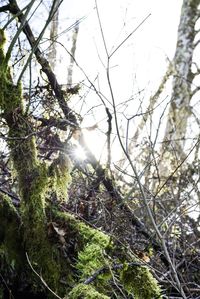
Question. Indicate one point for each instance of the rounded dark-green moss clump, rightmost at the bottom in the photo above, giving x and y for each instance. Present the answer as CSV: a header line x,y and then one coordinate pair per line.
x,y
140,282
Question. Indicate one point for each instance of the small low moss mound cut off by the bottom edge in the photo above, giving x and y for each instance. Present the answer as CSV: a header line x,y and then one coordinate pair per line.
x,y
82,291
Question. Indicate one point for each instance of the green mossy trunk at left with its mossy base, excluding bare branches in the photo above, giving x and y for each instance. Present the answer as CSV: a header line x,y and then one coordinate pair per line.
x,y
44,249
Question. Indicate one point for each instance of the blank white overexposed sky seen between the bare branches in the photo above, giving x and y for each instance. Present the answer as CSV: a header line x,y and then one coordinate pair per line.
x,y
139,63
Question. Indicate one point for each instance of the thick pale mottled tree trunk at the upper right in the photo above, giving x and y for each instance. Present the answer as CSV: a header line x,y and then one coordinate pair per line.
x,y
179,110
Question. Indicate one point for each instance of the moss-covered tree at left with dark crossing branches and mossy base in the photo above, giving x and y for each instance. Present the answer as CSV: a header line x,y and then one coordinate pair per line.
x,y
44,249
